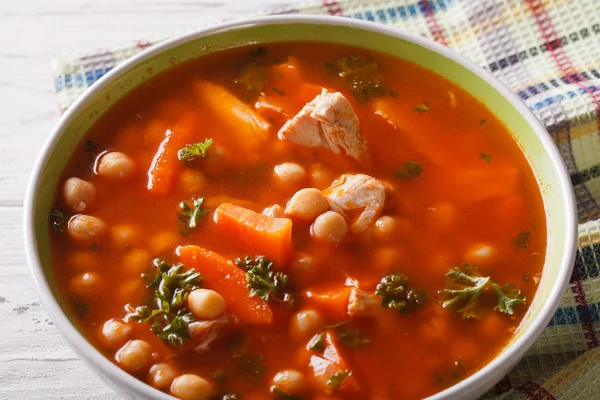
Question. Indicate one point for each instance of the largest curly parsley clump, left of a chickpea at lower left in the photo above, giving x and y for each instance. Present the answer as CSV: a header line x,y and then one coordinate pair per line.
x,y
169,316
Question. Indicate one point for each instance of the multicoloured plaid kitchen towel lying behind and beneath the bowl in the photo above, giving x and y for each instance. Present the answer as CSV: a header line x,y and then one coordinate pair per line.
x,y
547,51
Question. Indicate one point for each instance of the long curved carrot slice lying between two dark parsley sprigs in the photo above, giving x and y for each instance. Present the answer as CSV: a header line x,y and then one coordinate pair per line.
x,y
229,281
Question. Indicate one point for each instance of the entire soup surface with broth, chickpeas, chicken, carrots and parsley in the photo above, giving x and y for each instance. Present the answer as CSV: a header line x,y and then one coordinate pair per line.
x,y
298,220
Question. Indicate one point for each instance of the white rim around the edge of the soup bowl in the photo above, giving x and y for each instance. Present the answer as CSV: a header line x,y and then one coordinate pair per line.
x,y
474,385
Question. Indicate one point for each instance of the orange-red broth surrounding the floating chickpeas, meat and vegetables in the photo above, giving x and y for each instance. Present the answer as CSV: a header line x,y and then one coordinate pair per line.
x,y
460,199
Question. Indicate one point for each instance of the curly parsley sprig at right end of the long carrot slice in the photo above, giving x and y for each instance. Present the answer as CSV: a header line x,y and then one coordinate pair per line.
x,y
264,282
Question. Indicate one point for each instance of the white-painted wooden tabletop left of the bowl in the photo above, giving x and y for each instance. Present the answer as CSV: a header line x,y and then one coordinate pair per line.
x,y
35,361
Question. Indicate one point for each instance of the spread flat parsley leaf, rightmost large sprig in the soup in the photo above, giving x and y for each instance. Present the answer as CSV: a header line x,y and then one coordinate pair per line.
x,y
467,287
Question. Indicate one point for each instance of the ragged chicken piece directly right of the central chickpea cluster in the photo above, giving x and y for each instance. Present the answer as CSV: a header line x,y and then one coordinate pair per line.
x,y
353,192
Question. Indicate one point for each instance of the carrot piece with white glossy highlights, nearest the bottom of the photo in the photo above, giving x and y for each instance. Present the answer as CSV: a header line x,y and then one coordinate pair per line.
x,y
330,363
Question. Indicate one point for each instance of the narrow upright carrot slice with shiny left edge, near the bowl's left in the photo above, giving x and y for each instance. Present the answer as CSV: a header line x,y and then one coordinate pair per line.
x,y
166,164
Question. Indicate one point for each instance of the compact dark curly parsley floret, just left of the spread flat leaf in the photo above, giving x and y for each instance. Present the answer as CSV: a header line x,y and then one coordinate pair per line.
x,y
396,293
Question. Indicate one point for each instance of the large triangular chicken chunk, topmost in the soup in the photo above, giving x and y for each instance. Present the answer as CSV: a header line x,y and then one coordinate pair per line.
x,y
328,121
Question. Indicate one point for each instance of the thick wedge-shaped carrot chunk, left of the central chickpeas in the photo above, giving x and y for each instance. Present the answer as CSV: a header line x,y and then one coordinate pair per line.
x,y
260,234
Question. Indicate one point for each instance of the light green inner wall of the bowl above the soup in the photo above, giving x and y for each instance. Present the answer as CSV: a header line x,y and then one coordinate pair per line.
x,y
107,92
